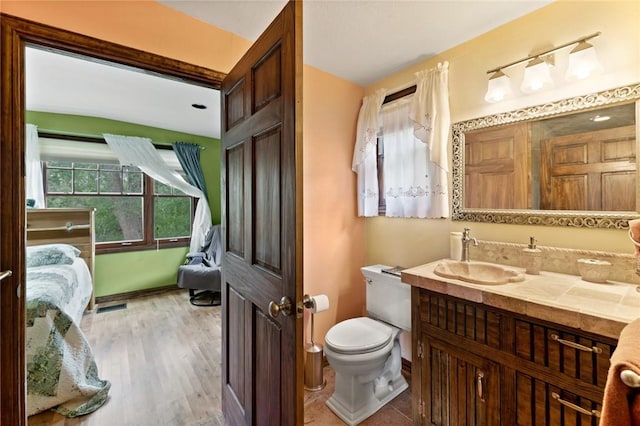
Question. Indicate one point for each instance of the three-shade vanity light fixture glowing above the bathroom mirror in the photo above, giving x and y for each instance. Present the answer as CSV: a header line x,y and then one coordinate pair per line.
x,y
583,63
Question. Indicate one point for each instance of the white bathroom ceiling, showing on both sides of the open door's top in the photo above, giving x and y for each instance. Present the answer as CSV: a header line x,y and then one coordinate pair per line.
x,y
363,41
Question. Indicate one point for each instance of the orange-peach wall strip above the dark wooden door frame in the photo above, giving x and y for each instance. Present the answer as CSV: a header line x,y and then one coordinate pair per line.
x,y
142,24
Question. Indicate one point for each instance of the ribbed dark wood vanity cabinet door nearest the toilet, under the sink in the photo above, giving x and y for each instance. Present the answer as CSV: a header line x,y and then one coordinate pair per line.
x,y
459,388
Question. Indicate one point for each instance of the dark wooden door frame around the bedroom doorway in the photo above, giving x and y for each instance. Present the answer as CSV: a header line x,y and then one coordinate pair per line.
x,y
15,34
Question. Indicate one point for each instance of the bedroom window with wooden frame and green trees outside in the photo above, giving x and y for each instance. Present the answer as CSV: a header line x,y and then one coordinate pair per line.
x,y
133,211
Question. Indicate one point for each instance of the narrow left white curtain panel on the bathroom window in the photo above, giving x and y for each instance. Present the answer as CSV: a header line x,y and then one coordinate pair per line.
x,y
364,154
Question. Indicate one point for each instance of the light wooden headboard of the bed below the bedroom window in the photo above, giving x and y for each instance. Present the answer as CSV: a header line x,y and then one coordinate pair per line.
x,y
68,226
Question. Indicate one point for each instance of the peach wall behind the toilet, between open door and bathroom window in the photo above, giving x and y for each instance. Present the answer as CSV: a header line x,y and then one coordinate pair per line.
x,y
333,232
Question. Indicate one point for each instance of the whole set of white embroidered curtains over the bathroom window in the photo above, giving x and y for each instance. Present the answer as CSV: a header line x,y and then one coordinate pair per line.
x,y
415,178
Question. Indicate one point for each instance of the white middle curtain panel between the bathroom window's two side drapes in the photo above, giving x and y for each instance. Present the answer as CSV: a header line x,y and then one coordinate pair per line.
x,y
409,180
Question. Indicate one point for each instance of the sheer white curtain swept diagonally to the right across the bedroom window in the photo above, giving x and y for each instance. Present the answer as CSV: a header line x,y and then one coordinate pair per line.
x,y
140,152
